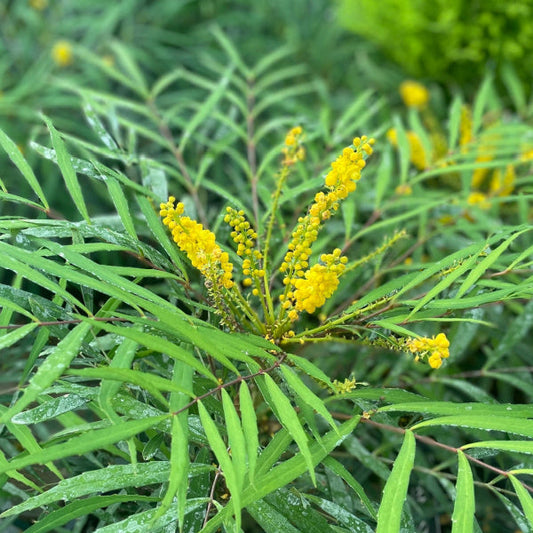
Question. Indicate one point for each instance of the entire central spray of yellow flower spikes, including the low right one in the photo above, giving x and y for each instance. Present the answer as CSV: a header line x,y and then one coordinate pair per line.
x,y
304,287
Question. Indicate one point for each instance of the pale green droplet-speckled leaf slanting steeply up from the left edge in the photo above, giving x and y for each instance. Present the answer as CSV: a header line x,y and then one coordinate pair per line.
x,y
53,366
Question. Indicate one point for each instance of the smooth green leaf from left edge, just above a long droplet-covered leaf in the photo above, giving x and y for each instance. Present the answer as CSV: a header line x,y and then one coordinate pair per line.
x,y
81,444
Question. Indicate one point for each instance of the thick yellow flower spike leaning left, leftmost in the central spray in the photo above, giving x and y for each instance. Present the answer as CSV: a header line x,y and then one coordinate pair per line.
x,y
199,245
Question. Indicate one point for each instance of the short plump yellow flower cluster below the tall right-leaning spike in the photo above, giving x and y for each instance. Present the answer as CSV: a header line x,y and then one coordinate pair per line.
x,y
318,284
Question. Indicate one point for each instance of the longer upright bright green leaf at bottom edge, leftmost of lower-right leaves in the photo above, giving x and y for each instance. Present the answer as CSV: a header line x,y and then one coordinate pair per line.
x,y
395,491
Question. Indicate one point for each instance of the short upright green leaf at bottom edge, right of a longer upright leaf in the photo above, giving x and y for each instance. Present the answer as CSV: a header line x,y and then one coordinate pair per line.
x,y
465,503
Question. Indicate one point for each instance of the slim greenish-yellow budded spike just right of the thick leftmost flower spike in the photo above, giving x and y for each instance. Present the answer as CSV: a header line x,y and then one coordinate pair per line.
x,y
245,236
